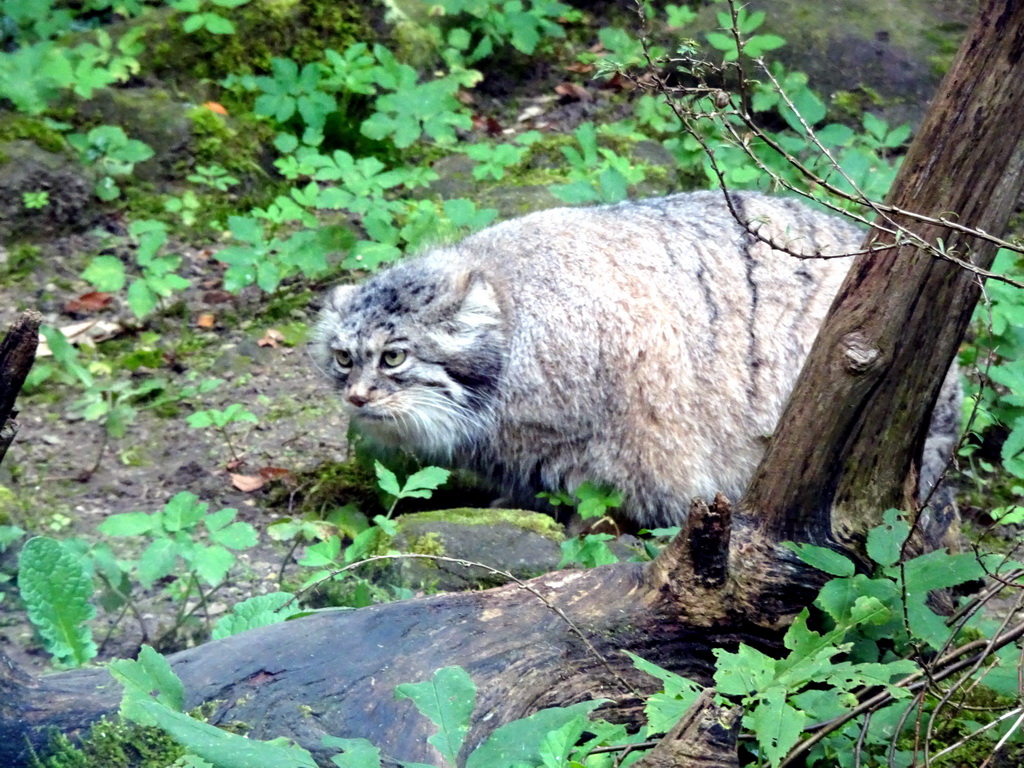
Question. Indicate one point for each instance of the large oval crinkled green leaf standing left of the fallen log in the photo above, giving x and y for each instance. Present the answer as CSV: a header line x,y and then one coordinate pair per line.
x,y
57,588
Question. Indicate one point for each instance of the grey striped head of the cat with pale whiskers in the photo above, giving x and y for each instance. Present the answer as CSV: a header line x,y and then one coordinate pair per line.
x,y
416,354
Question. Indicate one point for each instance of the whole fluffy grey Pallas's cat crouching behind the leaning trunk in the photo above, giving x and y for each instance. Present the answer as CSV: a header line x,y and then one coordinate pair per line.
x,y
649,346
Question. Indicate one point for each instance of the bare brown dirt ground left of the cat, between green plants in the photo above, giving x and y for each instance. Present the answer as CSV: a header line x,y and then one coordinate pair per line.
x,y
58,487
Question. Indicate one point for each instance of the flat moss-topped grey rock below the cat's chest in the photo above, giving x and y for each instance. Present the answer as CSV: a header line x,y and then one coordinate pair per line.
x,y
525,544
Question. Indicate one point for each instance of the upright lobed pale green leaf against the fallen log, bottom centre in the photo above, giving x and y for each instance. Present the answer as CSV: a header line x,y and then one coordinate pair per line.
x,y
448,702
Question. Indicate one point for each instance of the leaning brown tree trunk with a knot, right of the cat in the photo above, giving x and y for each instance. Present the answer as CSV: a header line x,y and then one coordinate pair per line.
x,y
840,455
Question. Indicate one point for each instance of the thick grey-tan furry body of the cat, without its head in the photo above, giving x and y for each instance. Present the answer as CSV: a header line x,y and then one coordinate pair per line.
x,y
662,334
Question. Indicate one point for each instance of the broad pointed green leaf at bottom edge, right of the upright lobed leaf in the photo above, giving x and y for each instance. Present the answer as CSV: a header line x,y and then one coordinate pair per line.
x,y
521,742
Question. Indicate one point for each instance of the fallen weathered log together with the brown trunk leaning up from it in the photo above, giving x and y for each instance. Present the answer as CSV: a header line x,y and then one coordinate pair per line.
x,y
844,451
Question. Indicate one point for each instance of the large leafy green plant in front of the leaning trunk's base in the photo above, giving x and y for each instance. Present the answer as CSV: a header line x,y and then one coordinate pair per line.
x,y
868,618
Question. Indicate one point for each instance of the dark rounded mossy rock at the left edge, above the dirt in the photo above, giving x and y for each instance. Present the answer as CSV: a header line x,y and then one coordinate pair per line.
x,y
71,206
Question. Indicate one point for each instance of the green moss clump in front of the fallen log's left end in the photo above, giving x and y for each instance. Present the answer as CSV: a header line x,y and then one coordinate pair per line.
x,y
111,744
